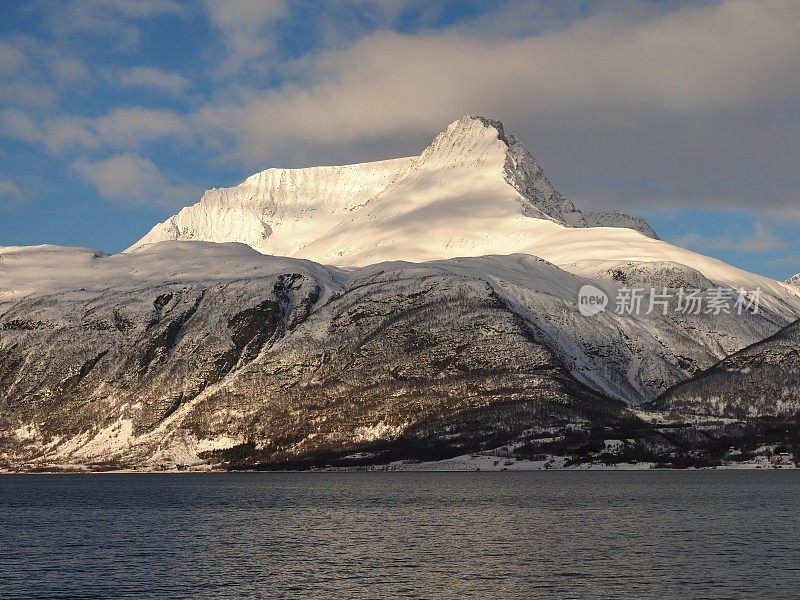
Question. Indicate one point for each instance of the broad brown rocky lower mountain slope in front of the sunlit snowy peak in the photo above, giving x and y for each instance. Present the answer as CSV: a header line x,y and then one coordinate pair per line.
x,y
189,349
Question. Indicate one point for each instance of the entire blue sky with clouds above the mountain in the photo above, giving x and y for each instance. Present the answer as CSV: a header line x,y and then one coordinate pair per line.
x,y
115,114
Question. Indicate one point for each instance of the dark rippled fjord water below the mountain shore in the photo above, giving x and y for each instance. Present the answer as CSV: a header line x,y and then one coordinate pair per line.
x,y
666,534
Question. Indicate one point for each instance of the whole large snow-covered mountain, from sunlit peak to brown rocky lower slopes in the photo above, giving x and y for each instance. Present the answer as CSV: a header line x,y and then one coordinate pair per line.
x,y
429,301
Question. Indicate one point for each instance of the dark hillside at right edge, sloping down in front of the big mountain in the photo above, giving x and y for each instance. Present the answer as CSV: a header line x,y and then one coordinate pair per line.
x,y
760,380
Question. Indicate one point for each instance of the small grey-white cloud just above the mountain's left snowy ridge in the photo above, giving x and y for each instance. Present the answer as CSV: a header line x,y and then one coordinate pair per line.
x,y
133,178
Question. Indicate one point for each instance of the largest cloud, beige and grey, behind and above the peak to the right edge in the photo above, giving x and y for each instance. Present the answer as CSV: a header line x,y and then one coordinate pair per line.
x,y
689,106
